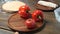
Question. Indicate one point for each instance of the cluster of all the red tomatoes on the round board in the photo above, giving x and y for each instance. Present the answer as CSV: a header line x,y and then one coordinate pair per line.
x,y
36,16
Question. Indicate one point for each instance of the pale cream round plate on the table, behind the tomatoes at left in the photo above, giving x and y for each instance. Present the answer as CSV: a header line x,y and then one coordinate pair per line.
x,y
12,6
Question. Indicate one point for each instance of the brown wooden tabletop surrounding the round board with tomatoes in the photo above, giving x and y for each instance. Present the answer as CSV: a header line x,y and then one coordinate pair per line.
x,y
51,26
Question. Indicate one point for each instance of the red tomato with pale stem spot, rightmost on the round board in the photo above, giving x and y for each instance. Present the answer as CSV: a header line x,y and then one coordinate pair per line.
x,y
37,15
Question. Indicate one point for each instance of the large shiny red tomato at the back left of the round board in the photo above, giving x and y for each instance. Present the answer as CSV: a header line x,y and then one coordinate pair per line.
x,y
24,11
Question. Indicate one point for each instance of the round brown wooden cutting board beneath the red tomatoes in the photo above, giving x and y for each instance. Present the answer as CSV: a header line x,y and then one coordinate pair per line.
x,y
17,23
